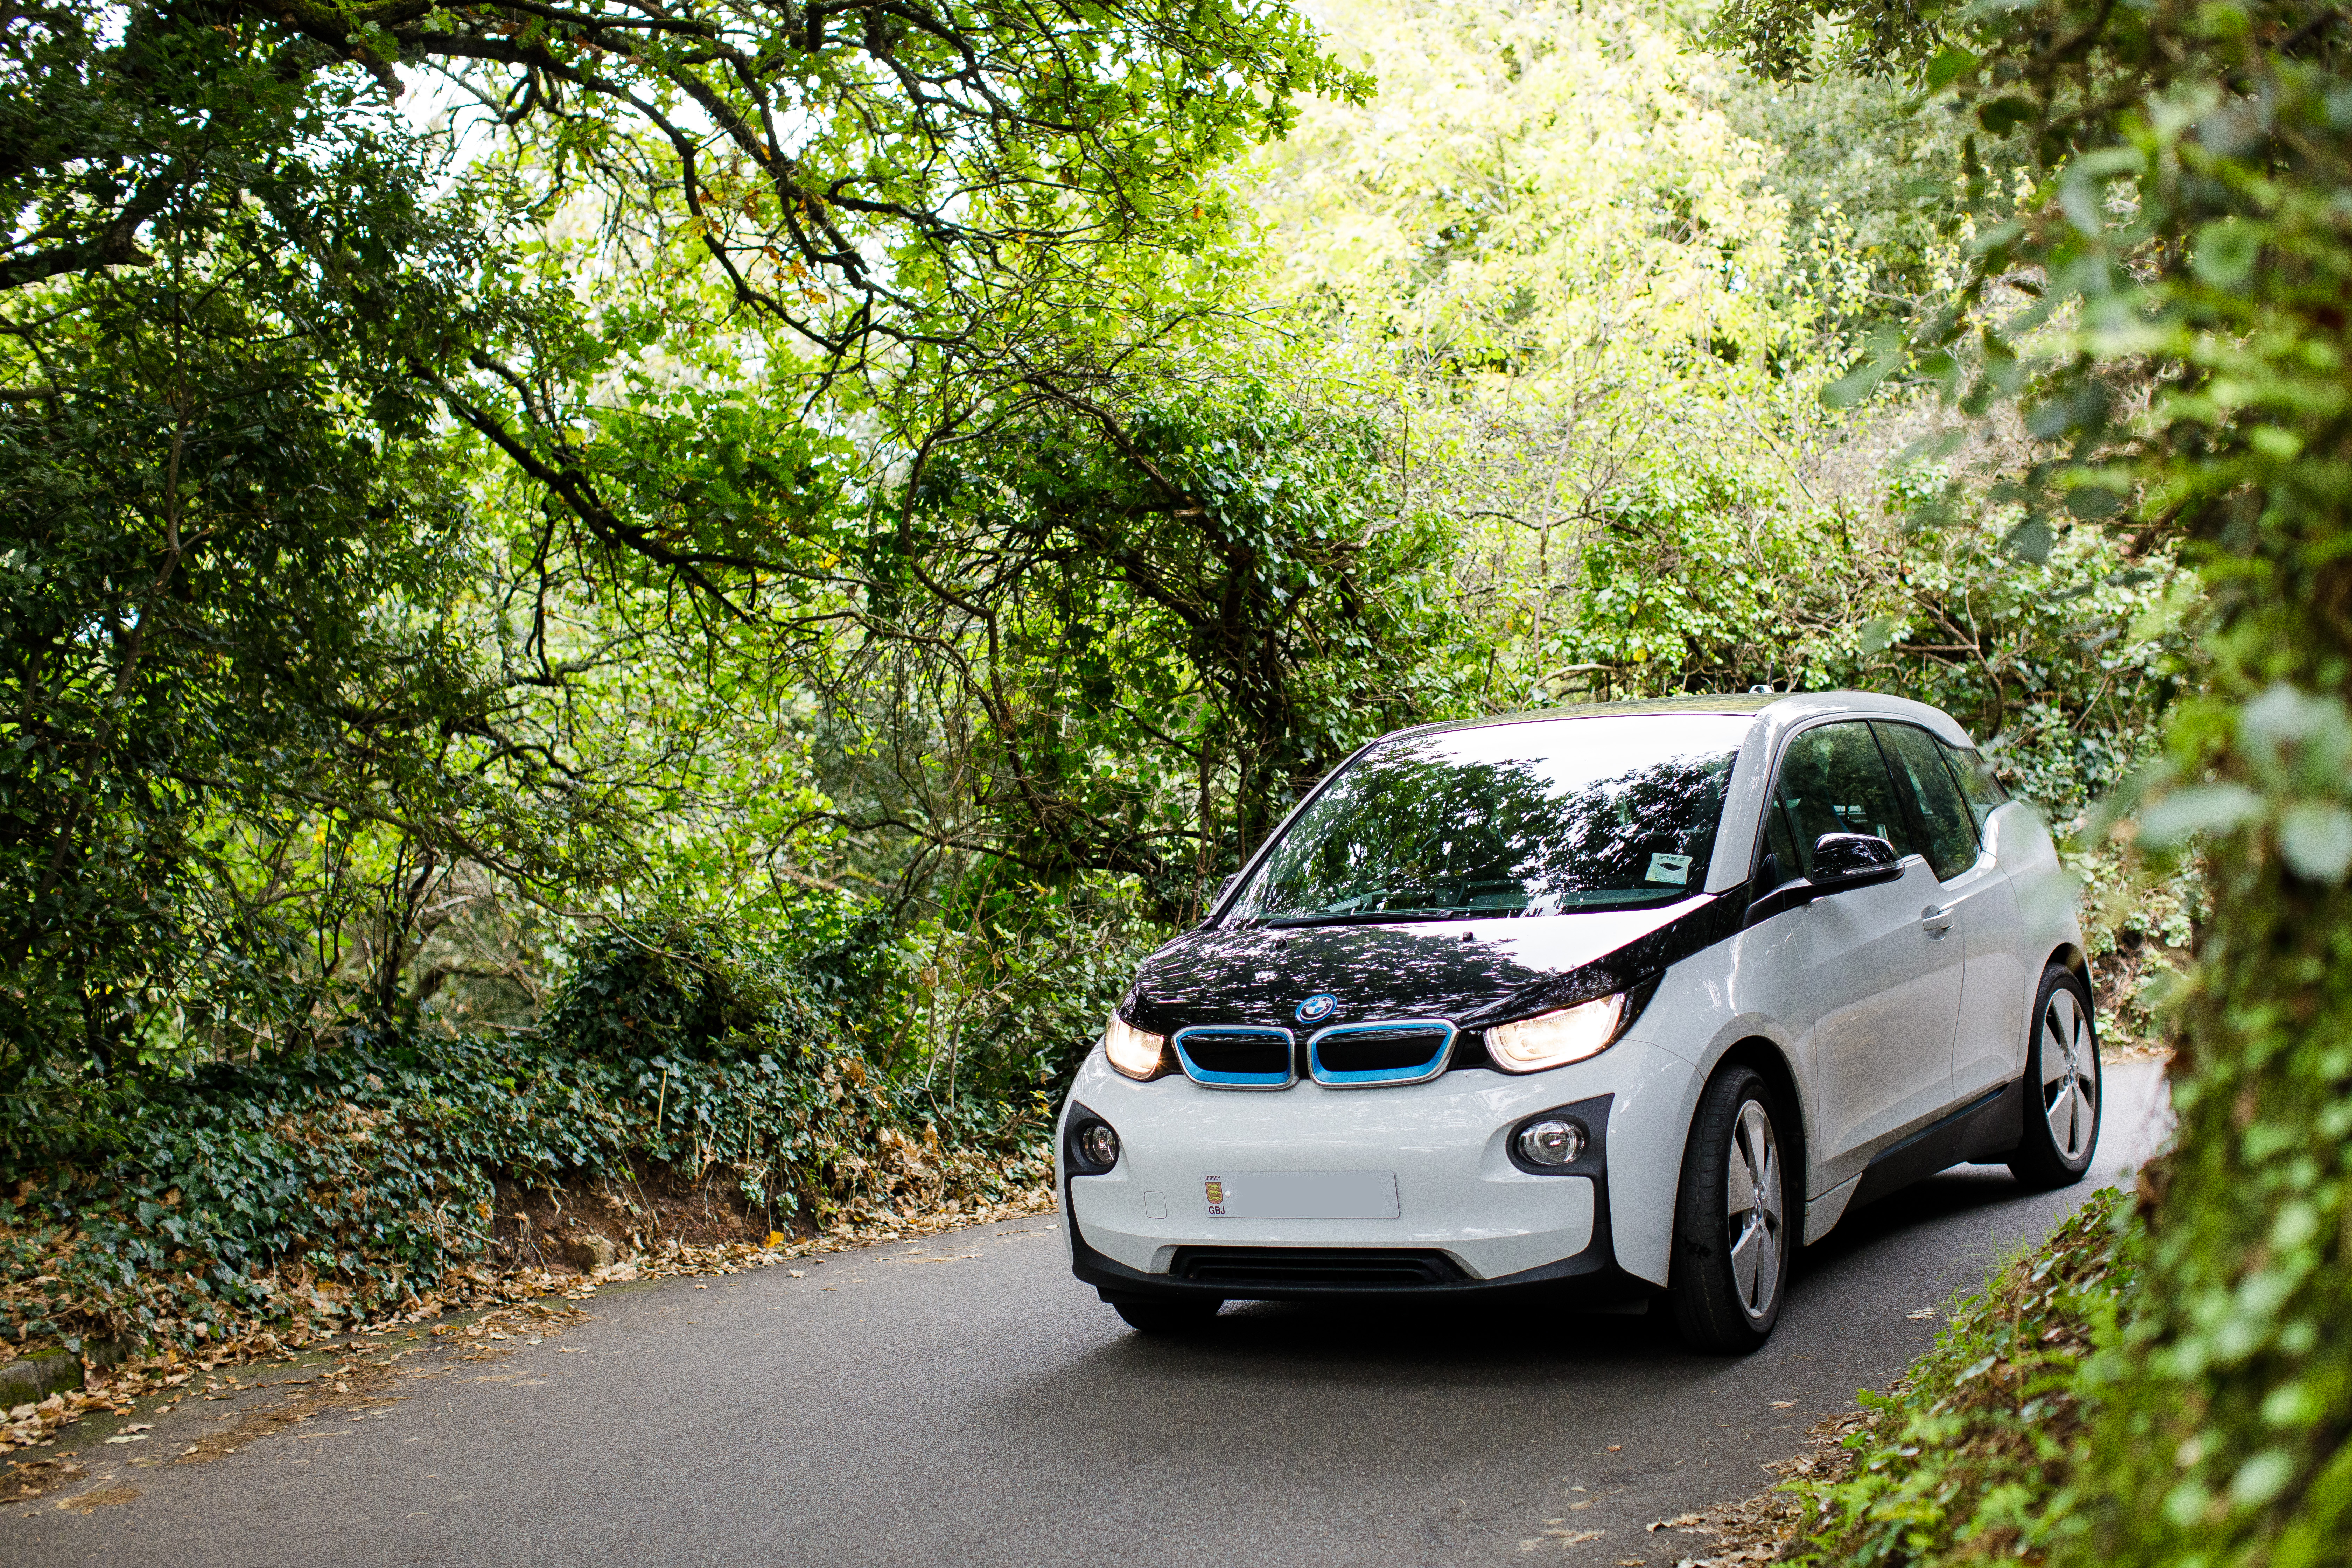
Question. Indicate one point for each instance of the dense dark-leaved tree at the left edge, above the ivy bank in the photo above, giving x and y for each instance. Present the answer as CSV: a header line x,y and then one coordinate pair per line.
x,y
243,704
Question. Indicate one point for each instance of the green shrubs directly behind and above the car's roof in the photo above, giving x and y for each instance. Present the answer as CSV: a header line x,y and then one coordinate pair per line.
x,y
1706,582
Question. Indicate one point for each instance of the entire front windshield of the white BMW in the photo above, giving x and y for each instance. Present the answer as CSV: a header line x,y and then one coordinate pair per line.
x,y
1511,819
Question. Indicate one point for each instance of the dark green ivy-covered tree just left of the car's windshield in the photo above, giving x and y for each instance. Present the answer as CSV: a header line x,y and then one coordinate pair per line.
x,y
1175,619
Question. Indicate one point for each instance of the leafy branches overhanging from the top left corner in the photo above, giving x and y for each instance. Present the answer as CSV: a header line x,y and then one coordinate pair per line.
x,y
902,192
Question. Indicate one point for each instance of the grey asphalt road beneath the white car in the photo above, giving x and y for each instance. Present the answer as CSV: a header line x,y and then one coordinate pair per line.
x,y
965,1402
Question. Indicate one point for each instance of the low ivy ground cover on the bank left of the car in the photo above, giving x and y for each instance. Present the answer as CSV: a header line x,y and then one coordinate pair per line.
x,y
316,1188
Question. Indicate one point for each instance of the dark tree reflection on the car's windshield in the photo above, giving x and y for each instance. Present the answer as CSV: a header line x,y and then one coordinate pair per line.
x,y
1417,819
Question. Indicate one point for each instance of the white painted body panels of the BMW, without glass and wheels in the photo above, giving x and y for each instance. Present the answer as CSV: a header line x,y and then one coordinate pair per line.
x,y
1895,1019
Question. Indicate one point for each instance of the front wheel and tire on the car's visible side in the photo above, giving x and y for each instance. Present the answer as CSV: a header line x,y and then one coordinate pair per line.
x,y
1732,1242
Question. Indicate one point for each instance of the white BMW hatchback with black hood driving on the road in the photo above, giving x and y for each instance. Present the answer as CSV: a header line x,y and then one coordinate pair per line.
x,y
1608,1005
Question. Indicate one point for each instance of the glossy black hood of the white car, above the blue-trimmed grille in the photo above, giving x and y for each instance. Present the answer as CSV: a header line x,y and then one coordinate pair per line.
x,y
1469,972
